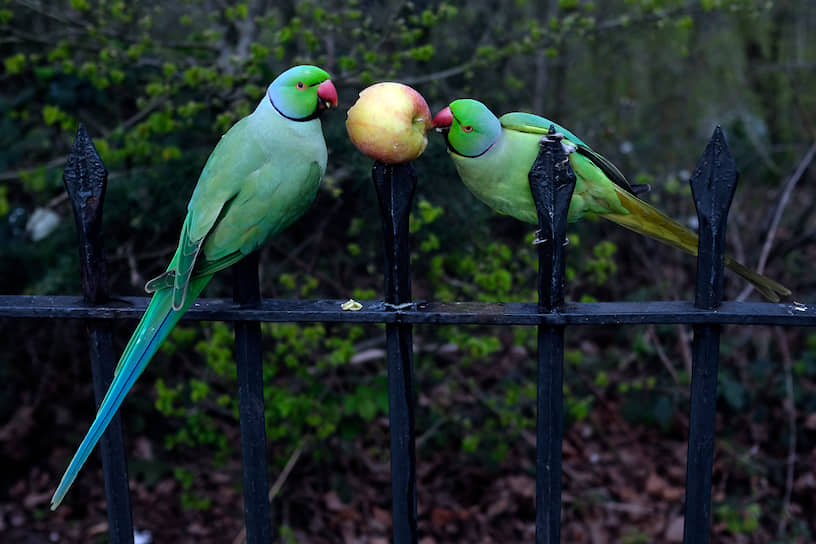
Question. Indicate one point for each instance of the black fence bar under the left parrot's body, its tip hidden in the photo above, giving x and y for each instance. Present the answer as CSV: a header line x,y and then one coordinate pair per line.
x,y
249,369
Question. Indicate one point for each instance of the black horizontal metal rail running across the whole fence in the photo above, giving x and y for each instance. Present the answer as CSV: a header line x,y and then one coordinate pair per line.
x,y
428,313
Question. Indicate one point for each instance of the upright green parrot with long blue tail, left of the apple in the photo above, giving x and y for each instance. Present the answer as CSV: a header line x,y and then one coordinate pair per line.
x,y
262,176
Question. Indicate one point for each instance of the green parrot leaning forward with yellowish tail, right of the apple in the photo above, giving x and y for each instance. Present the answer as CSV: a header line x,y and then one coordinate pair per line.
x,y
494,155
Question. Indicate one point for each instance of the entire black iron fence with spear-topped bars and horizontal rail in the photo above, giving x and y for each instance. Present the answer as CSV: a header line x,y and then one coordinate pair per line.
x,y
552,182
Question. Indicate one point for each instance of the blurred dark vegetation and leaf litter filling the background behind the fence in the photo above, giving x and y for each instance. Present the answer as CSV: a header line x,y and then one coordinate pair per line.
x,y
643,81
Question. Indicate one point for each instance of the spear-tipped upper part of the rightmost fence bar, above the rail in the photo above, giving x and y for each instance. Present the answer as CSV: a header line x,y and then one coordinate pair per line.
x,y
713,184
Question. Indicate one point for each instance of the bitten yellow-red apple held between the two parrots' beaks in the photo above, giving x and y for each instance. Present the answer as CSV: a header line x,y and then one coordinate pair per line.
x,y
389,122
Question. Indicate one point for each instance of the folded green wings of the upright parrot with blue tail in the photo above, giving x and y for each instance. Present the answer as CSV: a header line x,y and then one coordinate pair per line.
x,y
224,219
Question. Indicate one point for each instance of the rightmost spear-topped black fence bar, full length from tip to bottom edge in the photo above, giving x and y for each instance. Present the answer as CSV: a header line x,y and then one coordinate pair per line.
x,y
713,184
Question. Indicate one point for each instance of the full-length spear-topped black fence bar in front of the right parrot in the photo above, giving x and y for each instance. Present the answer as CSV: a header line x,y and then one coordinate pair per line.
x,y
551,183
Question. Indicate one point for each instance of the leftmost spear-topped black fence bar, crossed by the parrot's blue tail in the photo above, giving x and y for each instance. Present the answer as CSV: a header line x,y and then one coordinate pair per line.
x,y
85,179
